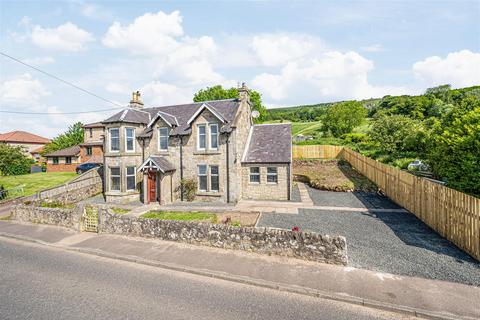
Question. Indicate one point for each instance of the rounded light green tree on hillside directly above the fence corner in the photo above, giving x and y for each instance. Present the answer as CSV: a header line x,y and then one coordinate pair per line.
x,y
341,118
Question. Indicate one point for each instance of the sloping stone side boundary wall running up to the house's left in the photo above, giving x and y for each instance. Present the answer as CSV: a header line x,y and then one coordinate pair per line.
x,y
82,187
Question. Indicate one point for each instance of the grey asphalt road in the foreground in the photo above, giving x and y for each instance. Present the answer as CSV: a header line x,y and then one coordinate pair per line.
x,y
39,282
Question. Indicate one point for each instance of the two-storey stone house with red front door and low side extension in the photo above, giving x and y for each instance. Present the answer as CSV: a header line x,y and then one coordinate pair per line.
x,y
149,151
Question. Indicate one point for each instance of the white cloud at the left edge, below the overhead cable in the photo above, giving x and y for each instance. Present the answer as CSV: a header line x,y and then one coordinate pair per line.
x,y
22,91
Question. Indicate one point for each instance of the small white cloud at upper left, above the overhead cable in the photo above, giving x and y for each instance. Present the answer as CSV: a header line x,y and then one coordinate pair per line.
x,y
66,37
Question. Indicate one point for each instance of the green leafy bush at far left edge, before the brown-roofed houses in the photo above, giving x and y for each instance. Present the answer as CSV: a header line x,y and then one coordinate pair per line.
x,y
13,161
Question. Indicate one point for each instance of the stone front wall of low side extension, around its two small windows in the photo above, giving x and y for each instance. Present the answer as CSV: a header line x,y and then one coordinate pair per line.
x,y
265,190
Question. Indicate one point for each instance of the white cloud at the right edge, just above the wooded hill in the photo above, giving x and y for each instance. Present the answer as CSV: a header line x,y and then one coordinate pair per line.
x,y
460,69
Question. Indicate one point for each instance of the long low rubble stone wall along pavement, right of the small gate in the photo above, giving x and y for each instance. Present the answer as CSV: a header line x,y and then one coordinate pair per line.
x,y
302,245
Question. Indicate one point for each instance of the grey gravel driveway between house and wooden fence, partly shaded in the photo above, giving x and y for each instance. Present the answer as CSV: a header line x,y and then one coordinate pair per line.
x,y
392,242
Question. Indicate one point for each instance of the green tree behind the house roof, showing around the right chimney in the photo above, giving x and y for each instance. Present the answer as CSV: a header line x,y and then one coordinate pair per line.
x,y
219,93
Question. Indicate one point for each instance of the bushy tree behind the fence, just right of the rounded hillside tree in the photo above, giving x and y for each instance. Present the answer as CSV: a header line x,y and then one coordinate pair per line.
x,y
397,133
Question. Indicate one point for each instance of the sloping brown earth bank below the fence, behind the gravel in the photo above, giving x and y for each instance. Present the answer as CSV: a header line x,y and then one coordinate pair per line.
x,y
332,175
